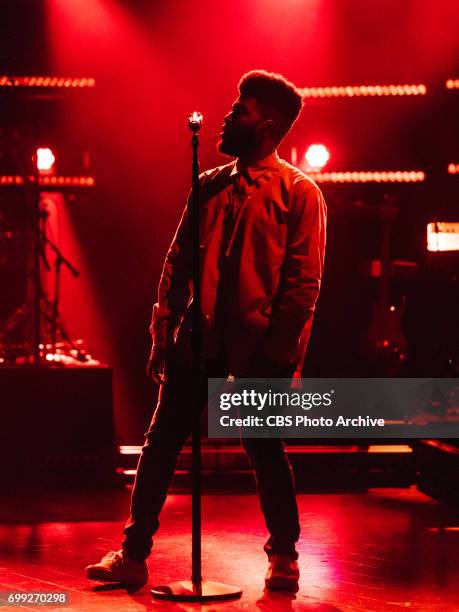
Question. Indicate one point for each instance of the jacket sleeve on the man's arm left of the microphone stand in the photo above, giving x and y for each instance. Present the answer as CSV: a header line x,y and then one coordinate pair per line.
x,y
175,285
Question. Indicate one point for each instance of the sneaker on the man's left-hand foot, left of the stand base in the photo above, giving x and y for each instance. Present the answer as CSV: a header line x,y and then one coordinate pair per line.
x,y
117,567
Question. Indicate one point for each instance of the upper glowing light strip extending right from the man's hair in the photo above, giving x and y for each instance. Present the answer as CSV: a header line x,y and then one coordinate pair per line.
x,y
350,91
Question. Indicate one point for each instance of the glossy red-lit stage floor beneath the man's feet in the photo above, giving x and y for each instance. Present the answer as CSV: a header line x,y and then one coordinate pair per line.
x,y
384,549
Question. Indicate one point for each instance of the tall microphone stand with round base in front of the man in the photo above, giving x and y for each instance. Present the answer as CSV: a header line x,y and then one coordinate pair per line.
x,y
196,589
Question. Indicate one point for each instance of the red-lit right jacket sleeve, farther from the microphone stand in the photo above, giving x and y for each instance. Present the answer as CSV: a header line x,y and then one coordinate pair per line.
x,y
301,272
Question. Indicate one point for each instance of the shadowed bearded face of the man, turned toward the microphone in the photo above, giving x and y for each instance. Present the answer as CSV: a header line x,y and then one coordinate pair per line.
x,y
241,128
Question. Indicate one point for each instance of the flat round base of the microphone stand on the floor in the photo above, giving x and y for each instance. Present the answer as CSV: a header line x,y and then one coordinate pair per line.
x,y
185,590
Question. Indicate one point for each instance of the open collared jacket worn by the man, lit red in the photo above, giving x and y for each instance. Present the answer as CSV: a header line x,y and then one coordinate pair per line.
x,y
275,260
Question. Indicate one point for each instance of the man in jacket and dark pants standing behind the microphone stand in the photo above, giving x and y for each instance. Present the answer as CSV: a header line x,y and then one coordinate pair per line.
x,y
262,241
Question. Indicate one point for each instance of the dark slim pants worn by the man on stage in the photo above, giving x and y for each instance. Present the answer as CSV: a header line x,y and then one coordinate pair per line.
x,y
170,427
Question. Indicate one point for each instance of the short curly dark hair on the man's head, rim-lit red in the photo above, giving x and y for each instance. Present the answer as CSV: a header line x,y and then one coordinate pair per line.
x,y
274,93
